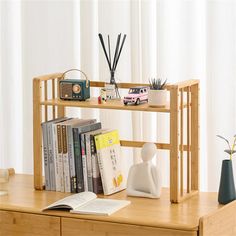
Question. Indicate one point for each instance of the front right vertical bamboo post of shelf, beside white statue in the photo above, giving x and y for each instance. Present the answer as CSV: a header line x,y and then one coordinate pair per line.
x,y
174,144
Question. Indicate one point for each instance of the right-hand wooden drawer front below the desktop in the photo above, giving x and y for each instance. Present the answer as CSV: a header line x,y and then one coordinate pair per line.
x,y
72,227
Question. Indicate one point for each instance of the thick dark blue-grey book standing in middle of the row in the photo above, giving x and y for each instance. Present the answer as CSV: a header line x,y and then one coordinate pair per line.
x,y
77,131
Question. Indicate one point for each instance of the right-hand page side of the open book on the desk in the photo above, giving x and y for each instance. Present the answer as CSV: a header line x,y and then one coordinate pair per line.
x,y
101,206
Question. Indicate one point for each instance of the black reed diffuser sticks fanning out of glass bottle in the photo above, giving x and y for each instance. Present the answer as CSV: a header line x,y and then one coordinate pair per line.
x,y
118,49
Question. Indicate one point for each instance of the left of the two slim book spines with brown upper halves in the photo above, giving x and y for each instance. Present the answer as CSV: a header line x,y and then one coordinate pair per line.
x,y
60,157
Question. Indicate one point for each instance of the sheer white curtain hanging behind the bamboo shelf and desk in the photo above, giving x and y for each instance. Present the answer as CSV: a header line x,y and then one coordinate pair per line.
x,y
173,39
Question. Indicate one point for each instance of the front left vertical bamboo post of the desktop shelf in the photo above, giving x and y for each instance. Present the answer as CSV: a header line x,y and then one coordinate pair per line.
x,y
37,136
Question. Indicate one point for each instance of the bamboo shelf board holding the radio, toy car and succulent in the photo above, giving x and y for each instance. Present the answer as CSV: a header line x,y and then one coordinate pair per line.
x,y
110,104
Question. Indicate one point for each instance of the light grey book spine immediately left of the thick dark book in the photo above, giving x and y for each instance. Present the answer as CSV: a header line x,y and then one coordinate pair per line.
x,y
71,159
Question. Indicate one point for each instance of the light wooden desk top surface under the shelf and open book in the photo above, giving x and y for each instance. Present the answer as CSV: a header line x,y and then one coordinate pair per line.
x,y
148,212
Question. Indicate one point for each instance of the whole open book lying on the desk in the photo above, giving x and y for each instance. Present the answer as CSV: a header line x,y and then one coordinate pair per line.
x,y
88,203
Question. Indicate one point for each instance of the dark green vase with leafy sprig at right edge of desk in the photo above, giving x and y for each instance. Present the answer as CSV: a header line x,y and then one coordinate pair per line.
x,y
227,188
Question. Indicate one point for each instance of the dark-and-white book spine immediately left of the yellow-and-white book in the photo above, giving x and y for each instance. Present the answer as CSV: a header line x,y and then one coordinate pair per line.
x,y
97,181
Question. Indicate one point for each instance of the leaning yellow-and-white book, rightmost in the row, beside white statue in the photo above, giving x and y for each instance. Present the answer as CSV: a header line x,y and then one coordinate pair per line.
x,y
110,162
